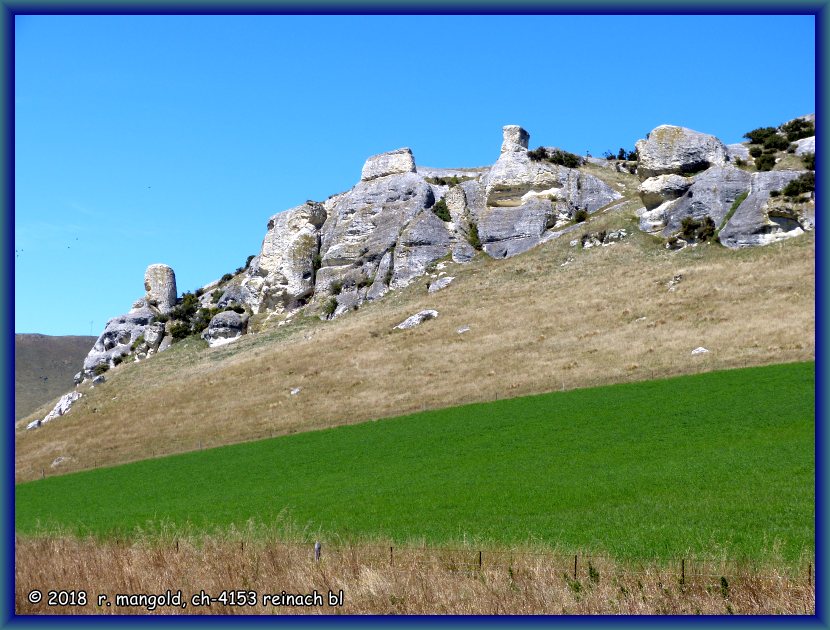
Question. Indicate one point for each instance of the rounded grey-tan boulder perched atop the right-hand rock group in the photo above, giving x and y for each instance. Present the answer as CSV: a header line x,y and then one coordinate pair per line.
x,y
671,149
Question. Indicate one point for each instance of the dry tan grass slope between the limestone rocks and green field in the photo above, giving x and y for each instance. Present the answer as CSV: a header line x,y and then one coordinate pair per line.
x,y
536,325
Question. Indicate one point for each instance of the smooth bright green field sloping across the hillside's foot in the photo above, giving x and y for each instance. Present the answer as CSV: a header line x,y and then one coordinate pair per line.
x,y
713,464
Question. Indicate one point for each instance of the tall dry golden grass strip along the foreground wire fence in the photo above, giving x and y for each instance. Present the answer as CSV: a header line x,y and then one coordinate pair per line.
x,y
415,581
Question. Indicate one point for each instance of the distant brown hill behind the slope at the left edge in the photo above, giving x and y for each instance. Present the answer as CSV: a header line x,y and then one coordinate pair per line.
x,y
44,367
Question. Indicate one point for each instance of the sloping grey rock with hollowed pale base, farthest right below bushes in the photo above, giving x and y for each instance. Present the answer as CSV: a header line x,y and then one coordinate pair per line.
x,y
760,220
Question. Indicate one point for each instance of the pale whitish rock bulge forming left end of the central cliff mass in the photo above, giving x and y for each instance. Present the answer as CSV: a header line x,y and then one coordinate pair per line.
x,y
282,276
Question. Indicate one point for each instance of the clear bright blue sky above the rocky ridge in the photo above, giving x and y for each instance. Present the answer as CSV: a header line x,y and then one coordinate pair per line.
x,y
174,138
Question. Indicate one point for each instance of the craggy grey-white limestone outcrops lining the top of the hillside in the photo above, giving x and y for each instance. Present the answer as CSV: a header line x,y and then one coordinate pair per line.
x,y
399,219
